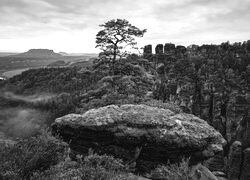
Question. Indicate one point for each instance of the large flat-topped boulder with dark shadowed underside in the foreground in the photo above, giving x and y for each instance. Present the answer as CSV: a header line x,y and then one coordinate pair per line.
x,y
140,133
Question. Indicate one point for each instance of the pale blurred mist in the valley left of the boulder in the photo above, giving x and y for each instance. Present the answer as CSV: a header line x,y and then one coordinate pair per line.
x,y
25,119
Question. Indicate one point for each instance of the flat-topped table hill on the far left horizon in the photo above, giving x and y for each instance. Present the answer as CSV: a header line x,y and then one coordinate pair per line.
x,y
39,53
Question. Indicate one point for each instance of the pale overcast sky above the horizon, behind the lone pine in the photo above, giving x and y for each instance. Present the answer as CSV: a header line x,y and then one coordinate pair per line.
x,y
71,25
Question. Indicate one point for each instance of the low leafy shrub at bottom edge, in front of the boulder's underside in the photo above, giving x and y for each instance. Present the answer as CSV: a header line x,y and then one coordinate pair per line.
x,y
92,167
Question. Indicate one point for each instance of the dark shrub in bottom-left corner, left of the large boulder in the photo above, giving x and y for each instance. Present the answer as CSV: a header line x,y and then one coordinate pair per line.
x,y
20,160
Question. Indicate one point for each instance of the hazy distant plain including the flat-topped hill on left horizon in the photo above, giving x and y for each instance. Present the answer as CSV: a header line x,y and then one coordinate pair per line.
x,y
40,58
